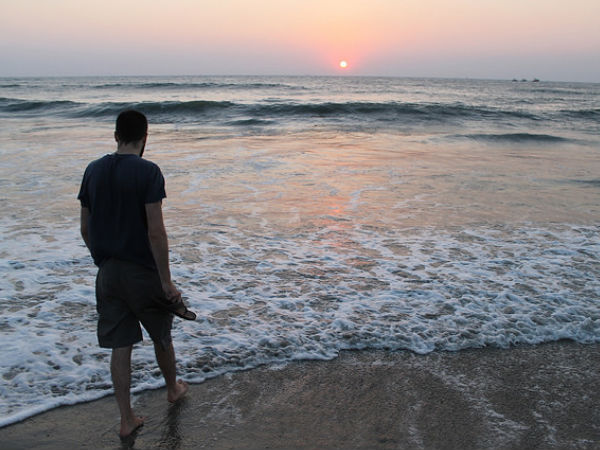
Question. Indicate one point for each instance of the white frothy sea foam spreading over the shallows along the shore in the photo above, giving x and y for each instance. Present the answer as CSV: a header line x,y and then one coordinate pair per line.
x,y
448,291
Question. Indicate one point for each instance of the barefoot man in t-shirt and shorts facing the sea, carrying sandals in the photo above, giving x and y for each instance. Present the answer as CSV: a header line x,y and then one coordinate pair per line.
x,y
122,226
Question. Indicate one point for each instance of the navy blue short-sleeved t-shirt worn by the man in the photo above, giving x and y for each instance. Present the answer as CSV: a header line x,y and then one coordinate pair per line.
x,y
116,189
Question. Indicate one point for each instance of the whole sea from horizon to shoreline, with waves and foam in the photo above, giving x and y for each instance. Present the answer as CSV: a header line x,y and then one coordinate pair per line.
x,y
306,215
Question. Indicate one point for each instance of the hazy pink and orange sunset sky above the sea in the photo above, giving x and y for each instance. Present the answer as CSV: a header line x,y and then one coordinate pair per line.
x,y
495,39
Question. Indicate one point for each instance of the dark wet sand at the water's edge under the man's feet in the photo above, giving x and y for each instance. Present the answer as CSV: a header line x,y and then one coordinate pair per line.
x,y
544,397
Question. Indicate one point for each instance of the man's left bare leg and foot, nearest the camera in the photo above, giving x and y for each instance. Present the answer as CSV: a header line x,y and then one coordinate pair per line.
x,y
120,370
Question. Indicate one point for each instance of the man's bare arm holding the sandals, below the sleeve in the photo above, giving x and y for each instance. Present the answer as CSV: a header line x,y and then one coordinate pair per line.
x,y
160,248
